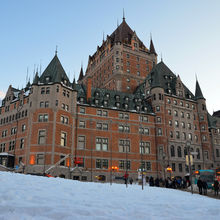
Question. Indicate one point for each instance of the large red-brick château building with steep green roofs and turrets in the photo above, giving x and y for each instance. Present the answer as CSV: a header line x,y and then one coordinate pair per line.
x,y
126,113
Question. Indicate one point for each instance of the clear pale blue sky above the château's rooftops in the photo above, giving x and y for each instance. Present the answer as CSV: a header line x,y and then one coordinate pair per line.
x,y
186,33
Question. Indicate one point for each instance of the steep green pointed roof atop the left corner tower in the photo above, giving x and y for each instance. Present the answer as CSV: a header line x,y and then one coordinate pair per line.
x,y
54,72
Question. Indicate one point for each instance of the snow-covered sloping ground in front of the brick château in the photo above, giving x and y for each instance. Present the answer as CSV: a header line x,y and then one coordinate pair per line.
x,y
26,197
